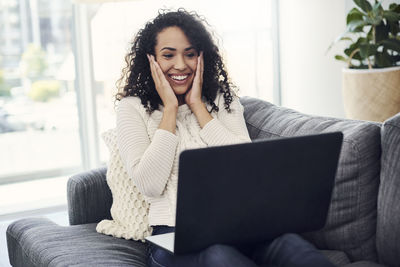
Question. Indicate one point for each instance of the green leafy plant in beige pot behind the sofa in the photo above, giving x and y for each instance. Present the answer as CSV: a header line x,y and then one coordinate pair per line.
x,y
371,81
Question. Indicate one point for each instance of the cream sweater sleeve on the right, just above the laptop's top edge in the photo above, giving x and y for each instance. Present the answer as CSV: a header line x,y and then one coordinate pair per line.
x,y
226,128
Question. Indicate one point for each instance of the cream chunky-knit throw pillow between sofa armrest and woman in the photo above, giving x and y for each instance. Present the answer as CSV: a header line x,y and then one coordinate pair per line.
x,y
129,209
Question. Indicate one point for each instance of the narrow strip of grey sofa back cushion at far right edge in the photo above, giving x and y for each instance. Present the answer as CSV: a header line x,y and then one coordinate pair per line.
x,y
388,230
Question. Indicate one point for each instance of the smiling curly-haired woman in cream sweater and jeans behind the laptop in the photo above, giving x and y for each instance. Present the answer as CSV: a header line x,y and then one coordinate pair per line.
x,y
176,95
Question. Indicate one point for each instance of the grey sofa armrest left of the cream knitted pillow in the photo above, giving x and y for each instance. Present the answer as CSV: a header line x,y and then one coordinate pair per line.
x,y
89,197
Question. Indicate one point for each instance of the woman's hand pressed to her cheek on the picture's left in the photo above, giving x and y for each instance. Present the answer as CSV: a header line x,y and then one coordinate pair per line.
x,y
163,87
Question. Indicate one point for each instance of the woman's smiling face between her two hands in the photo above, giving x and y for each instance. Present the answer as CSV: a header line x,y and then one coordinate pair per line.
x,y
177,59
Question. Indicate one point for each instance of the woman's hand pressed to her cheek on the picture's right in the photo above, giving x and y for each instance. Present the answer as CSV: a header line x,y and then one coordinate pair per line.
x,y
193,95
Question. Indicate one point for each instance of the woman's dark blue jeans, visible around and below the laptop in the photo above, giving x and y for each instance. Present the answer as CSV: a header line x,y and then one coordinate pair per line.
x,y
286,250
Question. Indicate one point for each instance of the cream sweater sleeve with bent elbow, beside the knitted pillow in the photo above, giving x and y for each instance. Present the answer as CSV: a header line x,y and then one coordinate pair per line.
x,y
148,162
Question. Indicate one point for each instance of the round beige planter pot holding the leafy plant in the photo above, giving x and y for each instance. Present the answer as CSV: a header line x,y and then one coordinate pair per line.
x,y
372,95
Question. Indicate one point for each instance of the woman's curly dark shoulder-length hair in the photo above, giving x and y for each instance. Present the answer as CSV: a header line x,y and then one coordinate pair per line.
x,y
136,79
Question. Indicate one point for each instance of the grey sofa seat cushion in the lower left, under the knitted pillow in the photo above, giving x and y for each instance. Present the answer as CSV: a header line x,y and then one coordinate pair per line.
x,y
40,242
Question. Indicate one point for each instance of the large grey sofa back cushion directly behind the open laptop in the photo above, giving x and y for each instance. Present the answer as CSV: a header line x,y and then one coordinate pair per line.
x,y
351,222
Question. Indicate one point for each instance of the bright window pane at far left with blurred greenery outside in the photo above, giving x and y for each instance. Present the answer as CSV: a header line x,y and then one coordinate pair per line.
x,y
38,111
